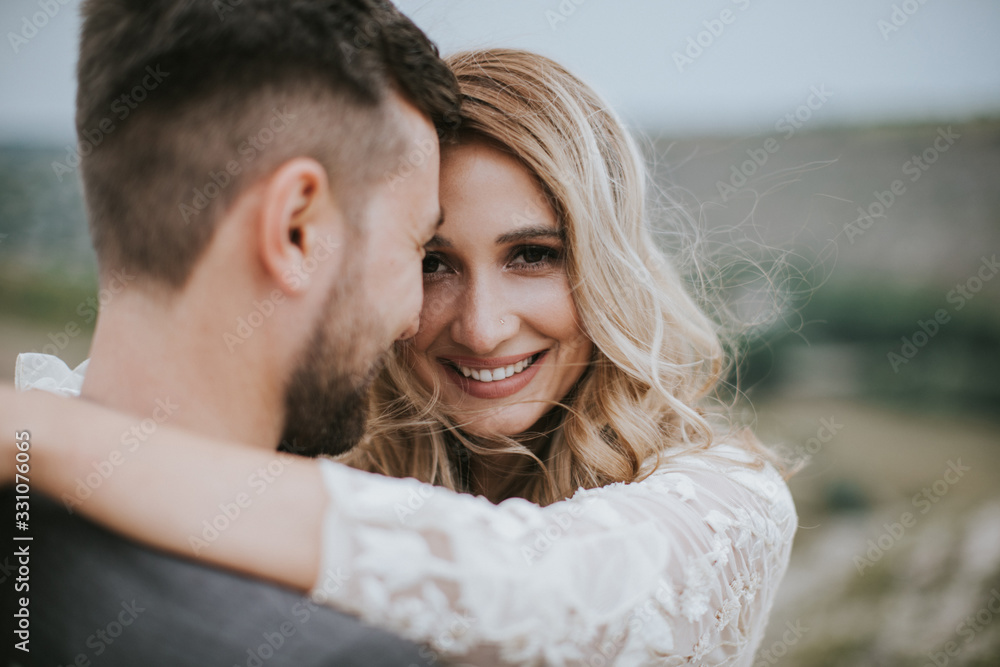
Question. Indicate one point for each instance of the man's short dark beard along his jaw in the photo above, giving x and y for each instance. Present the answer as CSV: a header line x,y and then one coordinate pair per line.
x,y
326,402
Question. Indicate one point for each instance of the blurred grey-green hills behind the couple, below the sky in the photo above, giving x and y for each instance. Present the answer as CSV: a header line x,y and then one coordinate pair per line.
x,y
826,293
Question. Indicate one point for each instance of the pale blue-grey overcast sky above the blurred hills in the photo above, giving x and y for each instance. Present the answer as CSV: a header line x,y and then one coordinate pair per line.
x,y
878,63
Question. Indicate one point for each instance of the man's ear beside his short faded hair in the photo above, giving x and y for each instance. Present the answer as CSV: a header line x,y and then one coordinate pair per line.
x,y
298,214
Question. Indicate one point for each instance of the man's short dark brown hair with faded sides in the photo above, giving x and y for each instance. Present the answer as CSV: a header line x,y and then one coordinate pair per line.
x,y
184,103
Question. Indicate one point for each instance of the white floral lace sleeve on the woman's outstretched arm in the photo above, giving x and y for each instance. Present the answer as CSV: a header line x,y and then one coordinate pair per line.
x,y
679,568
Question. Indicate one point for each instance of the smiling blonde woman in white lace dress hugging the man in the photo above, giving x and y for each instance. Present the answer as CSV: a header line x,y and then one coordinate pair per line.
x,y
551,489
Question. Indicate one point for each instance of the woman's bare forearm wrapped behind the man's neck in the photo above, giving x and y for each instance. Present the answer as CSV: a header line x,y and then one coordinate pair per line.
x,y
254,511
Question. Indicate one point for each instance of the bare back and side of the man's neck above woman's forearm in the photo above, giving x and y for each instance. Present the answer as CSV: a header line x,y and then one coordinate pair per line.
x,y
169,364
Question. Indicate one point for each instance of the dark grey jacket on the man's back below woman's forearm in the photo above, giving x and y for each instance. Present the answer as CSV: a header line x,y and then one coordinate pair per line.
x,y
98,600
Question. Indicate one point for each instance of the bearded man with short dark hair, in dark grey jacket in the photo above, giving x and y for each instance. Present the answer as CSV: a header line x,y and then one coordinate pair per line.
x,y
269,196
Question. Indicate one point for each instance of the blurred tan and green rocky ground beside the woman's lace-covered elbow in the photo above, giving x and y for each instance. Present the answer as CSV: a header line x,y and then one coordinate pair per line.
x,y
897,557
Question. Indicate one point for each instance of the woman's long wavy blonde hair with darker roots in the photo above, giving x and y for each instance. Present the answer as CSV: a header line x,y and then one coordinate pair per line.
x,y
657,355
